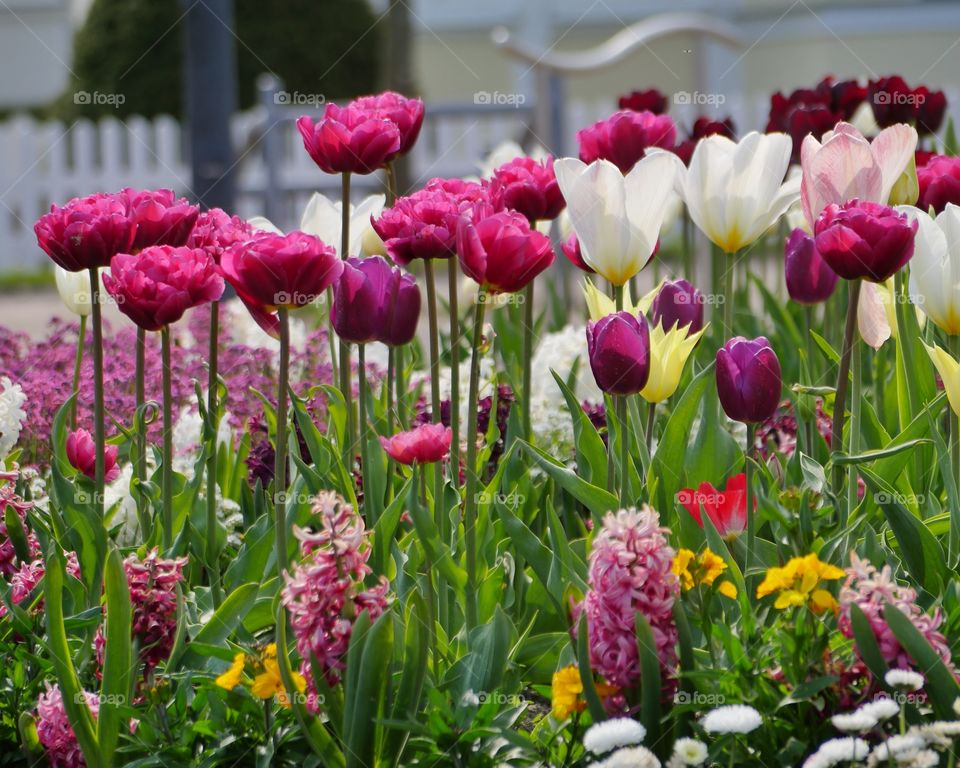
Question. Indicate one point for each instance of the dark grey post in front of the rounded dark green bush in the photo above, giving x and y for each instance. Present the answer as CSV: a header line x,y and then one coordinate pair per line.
x,y
210,75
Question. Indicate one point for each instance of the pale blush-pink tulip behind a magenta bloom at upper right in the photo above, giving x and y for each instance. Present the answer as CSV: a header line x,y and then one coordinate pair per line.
x,y
847,166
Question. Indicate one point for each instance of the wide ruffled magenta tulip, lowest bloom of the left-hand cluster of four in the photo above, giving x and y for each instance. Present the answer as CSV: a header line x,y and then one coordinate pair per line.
x,y
155,287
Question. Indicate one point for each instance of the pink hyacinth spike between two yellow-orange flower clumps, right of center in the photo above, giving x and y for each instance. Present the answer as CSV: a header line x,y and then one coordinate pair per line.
x,y
630,573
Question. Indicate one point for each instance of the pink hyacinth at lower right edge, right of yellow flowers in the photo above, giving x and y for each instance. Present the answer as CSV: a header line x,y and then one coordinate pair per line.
x,y
873,589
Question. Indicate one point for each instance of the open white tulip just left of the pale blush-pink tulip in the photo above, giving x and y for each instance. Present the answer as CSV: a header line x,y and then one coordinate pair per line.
x,y
735,191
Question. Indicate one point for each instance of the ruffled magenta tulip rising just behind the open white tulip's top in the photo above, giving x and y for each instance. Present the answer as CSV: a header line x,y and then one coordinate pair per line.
x,y
625,136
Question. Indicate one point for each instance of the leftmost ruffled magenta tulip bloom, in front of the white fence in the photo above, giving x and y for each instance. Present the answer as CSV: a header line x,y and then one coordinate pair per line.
x,y
86,232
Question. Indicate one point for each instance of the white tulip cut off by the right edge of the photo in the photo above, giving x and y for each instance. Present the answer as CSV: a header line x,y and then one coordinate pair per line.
x,y
935,266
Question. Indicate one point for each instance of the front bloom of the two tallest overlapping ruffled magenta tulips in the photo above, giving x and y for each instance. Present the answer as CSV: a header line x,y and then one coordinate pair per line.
x,y
349,140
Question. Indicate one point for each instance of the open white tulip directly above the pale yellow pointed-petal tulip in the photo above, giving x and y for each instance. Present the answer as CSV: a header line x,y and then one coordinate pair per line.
x,y
618,218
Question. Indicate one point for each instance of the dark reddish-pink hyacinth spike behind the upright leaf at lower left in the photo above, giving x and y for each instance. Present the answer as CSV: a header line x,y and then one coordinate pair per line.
x,y
153,593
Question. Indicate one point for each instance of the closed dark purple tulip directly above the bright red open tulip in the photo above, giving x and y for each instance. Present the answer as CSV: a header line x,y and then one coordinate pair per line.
x,y
748,379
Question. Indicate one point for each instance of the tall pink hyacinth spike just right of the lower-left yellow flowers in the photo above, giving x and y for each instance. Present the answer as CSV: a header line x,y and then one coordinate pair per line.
x,y
325,592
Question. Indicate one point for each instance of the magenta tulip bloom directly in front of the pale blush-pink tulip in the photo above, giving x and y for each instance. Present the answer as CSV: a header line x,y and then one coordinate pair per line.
x,y
864,240
